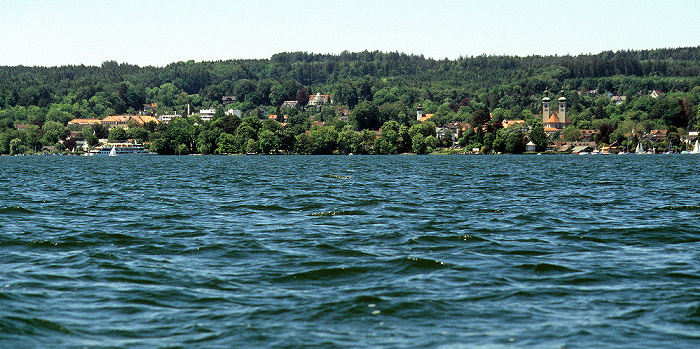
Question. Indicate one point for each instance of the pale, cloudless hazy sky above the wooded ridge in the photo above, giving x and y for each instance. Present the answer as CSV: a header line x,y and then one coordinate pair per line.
x,y
61,32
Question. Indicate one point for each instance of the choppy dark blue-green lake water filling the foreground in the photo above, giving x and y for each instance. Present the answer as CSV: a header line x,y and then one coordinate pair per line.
x,y
350,251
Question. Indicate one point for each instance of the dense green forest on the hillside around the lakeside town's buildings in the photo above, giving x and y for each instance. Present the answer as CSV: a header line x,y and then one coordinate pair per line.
x,y
380,90
